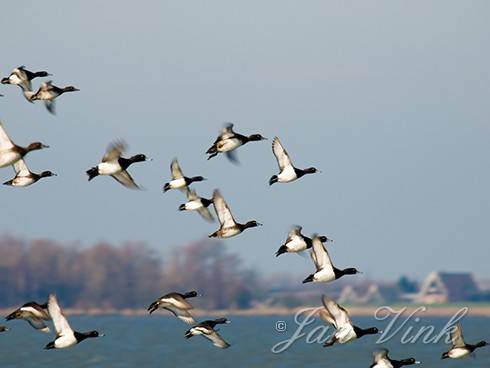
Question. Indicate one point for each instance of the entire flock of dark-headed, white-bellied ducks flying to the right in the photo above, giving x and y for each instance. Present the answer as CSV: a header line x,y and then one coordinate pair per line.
x,y
114,164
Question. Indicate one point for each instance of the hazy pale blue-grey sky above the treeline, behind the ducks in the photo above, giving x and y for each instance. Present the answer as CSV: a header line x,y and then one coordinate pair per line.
x,y
390,99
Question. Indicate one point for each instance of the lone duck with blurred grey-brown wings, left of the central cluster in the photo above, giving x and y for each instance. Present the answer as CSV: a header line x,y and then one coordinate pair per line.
x,y
113,164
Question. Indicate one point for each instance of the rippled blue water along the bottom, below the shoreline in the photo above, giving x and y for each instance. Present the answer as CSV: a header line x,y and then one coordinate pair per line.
x,y
158,341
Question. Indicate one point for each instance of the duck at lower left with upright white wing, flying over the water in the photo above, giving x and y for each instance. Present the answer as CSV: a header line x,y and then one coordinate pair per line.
x,y
65,336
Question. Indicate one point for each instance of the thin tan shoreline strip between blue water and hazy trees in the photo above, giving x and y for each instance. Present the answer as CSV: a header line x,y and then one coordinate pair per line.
x,y
474,310
